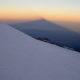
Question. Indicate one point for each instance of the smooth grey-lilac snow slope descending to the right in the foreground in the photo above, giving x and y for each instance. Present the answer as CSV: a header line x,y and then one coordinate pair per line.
x,y
24,58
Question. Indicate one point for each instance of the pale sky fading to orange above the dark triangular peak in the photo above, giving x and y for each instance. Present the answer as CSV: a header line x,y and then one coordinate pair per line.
x,y
54,10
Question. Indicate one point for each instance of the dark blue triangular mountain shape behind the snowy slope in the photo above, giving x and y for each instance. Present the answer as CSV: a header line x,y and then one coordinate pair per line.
x,y
55,33
